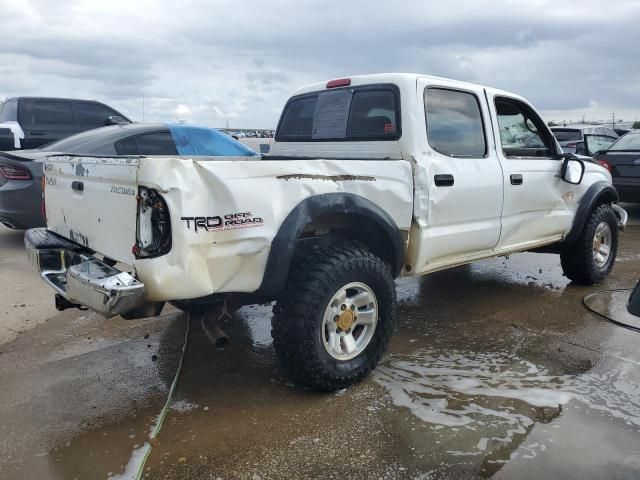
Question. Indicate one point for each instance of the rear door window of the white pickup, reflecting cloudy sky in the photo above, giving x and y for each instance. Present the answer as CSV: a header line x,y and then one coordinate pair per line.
x,y
454,123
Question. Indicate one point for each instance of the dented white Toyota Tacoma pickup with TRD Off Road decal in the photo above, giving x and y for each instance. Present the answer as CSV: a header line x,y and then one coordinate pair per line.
x,y
370,178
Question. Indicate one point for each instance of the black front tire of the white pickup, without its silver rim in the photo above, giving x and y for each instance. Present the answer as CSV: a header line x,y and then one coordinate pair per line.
x,y
577,258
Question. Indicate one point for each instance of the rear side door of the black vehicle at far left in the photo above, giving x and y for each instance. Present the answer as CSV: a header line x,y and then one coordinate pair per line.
x,y
46,120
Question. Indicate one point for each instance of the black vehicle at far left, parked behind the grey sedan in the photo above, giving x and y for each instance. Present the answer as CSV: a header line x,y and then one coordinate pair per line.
x,y
30,122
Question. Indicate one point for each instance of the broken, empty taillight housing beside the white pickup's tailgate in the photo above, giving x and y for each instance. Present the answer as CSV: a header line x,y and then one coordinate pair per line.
x,y
153,236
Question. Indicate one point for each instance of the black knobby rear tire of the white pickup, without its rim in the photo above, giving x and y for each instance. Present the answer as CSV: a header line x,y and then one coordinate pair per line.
x,y
298,316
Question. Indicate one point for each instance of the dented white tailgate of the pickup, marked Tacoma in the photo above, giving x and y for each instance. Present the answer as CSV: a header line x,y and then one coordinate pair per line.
x,y
92,201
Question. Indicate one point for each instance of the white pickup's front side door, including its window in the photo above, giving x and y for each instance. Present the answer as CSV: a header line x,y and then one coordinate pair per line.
x,y
535,198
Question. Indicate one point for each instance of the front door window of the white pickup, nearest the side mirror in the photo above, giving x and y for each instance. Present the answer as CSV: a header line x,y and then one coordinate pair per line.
x,y
522,132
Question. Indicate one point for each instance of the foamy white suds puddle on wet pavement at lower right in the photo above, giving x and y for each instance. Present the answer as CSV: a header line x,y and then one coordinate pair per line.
x,y
486,404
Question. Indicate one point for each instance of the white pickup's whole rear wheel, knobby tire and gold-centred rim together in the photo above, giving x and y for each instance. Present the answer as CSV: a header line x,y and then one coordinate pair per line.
x,y
334,320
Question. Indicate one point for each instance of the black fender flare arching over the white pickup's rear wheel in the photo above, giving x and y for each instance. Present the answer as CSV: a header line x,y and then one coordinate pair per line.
x,y
284,243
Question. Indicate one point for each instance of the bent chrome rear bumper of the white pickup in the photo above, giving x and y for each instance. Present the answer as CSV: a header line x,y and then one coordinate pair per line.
x,y
74,273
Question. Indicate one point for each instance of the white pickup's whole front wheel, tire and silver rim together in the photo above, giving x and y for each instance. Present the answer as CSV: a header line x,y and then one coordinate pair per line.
x,y
589,259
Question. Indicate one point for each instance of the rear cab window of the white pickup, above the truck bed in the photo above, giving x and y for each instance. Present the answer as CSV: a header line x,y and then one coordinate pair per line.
x,y
358,113
